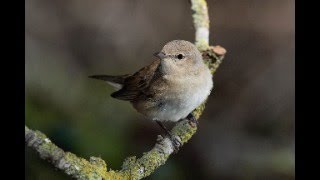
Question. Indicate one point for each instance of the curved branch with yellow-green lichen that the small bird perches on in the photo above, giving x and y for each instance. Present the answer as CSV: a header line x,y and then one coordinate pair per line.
x,y
134,168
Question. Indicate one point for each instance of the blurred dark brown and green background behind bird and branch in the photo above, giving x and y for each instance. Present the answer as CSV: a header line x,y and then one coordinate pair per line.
x,y
247,129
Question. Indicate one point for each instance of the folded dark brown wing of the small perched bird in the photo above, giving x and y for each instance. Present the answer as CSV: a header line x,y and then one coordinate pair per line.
x,y
134,85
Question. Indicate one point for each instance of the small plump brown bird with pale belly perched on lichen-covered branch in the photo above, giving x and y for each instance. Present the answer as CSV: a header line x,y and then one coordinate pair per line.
x,y
168,89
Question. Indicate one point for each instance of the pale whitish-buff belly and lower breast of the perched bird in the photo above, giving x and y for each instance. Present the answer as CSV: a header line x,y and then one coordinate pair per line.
x,y
169,105
